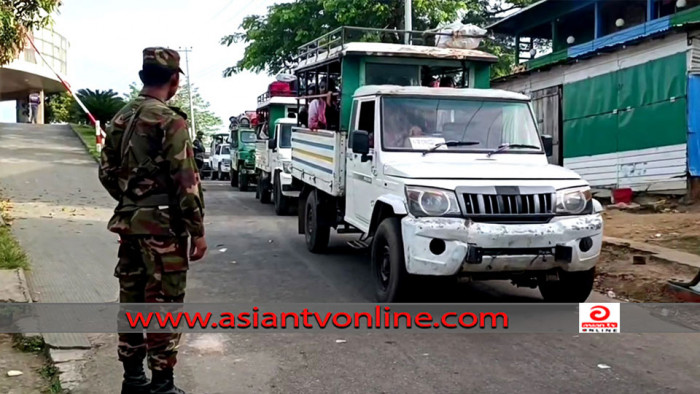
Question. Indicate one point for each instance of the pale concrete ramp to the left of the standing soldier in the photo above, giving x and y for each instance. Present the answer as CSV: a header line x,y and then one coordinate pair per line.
x,y
61,211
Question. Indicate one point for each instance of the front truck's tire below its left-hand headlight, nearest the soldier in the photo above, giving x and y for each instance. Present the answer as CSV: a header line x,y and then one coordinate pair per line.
x,y
388,266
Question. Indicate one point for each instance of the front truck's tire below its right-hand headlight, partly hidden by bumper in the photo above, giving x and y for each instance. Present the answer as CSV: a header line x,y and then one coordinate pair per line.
x,y
572,287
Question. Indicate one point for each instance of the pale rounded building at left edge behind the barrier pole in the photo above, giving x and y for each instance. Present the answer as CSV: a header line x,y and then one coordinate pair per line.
x,y
28,74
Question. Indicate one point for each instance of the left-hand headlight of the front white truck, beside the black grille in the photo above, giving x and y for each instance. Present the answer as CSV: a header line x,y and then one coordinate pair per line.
x,y
423,201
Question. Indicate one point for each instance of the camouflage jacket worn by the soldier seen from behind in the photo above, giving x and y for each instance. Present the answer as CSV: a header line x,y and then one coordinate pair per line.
x,y
163,197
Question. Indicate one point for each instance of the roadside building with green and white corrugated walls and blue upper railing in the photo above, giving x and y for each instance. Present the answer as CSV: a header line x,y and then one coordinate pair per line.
x,y
618,88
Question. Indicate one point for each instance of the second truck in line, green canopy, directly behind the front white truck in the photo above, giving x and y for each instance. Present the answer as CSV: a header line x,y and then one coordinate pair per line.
x,y
273,160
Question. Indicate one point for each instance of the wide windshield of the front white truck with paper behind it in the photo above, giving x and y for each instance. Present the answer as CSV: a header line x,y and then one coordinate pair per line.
x,y
421,123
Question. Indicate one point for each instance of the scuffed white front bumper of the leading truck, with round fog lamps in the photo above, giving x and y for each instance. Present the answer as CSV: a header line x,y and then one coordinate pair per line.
x,y
513,243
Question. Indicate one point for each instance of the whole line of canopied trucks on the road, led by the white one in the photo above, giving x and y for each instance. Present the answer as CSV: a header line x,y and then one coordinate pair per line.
x,y
436,181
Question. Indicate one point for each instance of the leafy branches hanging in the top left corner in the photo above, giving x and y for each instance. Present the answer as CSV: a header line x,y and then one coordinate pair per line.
x,y
17,20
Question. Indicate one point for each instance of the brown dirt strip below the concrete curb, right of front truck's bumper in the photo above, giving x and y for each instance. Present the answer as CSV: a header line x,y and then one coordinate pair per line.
x,y
618,277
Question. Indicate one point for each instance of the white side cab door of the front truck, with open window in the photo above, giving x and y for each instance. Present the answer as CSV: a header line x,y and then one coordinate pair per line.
x,y
361,175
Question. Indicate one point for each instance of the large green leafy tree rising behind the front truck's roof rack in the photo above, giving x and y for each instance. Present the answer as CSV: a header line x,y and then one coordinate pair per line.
x,y
272,40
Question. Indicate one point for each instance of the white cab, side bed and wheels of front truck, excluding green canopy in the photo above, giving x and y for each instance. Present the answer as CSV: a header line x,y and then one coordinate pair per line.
x,y
449,182
